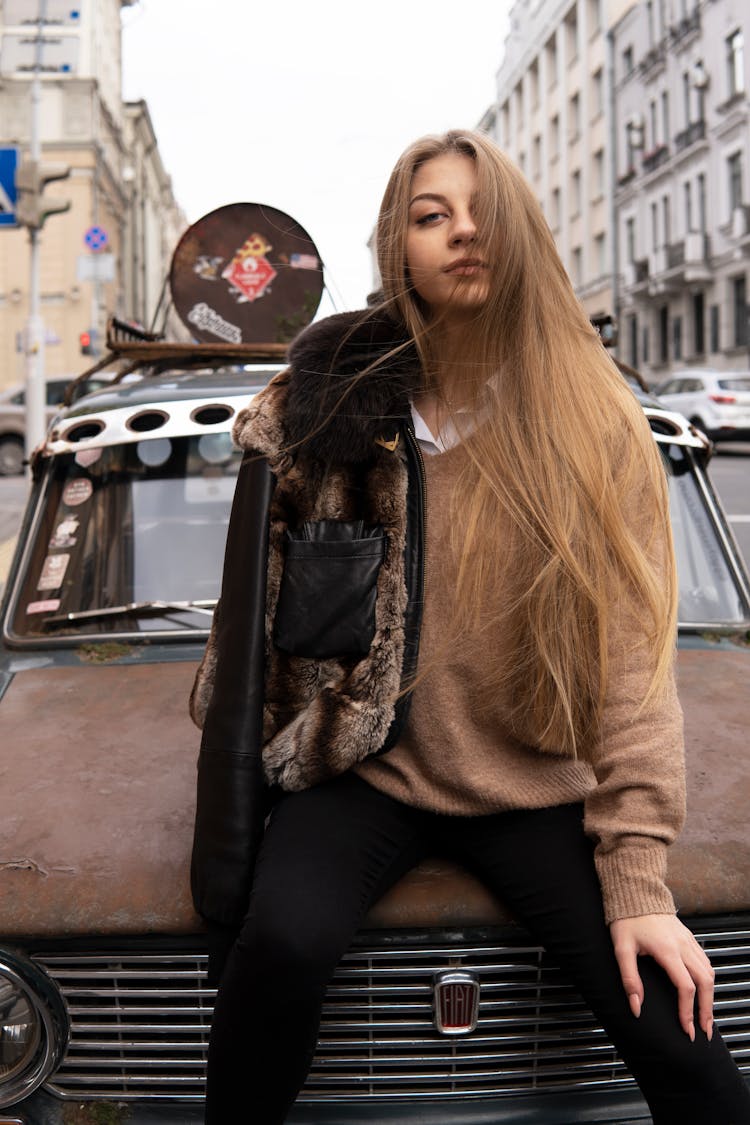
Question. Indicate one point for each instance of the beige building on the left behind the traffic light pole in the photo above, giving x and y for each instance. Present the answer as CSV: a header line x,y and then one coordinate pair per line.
x,y
118,184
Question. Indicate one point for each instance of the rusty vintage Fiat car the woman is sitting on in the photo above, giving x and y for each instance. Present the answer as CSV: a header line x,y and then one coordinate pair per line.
x,y
444,1010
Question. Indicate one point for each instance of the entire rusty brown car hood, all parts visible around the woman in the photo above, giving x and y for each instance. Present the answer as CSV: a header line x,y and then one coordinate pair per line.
x,y
98,775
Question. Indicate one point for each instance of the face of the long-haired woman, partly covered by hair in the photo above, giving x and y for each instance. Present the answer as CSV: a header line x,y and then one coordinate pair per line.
x,y
446,265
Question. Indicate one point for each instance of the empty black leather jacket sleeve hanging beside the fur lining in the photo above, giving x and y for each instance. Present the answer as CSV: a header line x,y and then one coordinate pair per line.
x,y
232,798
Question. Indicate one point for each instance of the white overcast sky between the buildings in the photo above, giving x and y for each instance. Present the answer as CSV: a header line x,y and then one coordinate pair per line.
x,y
306,106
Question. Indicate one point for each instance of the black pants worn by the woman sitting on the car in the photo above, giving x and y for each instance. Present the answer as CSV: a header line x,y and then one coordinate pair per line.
x,y
331,852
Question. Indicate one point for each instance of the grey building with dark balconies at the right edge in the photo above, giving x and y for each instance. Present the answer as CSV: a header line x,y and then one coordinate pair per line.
x,y
683,185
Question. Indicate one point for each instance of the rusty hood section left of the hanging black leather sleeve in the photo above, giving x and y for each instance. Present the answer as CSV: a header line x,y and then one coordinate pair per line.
x,y
98,776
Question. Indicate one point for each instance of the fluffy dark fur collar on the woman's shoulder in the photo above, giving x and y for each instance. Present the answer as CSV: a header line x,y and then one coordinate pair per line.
x,y
324,409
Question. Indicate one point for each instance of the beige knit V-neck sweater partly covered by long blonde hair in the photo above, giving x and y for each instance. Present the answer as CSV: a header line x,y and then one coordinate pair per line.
x,y
457,759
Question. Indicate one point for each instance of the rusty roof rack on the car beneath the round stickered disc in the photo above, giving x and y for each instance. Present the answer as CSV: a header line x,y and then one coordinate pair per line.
x,y
137,347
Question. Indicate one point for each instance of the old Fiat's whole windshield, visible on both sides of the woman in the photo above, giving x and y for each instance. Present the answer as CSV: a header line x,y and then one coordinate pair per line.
x,y
130,541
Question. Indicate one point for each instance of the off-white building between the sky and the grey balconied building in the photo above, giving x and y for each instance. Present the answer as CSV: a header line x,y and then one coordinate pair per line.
x,y
553,116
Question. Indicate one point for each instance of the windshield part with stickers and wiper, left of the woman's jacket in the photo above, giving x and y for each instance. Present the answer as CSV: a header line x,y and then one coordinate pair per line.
x,y
131,537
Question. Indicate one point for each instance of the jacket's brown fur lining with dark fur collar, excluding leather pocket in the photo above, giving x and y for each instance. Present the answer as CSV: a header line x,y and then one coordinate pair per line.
x,y
320,426
